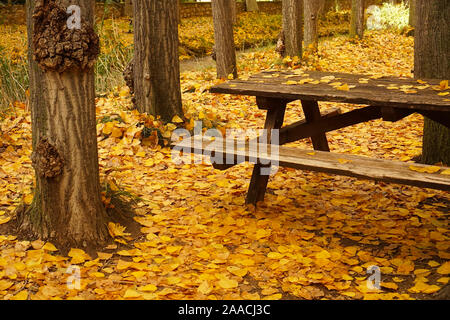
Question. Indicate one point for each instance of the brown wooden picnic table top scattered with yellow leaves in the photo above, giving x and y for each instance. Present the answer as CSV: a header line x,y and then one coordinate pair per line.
x,y
426,94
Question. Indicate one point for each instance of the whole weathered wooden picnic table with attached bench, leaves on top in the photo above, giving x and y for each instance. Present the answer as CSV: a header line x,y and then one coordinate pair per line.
x,y
387,98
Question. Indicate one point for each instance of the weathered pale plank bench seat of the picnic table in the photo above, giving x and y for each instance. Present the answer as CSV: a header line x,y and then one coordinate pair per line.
x,y
340,164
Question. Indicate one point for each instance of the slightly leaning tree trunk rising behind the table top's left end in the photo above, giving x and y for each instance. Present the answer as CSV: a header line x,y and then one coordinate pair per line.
x,y
224,39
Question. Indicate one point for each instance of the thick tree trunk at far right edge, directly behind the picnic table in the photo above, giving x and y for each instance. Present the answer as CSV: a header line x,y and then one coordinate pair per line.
x,y
432,61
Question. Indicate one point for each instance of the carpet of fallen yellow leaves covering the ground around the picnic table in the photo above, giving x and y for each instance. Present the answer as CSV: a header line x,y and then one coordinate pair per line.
x,y
314,237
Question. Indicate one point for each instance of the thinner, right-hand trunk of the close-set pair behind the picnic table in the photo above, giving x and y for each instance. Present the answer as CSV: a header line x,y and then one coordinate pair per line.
x,y
311,33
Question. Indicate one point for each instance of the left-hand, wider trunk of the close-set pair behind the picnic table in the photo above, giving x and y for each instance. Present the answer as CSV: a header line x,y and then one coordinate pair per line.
x,y
293,27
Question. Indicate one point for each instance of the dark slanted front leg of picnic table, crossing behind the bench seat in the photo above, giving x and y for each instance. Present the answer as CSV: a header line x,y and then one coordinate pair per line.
x,y
258,183
